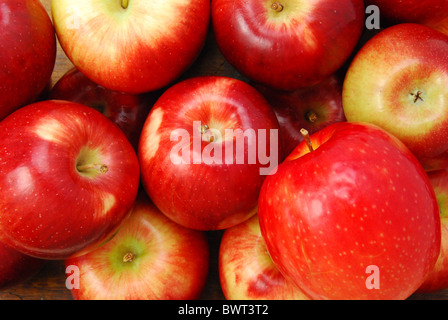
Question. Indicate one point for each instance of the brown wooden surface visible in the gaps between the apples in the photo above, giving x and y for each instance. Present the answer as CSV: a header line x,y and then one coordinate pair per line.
x,y
49,283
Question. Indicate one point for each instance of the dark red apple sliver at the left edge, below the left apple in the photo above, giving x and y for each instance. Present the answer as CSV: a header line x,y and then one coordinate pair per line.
x,y
16,267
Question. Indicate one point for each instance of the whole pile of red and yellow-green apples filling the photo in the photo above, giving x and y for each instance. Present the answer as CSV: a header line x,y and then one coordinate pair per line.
x,y
356,126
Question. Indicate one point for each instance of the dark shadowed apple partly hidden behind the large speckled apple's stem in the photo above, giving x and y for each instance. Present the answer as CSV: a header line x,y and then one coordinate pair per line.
x,y
310,108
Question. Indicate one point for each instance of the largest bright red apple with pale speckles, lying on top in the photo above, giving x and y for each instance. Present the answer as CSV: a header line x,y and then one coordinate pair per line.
x,y
359,199
